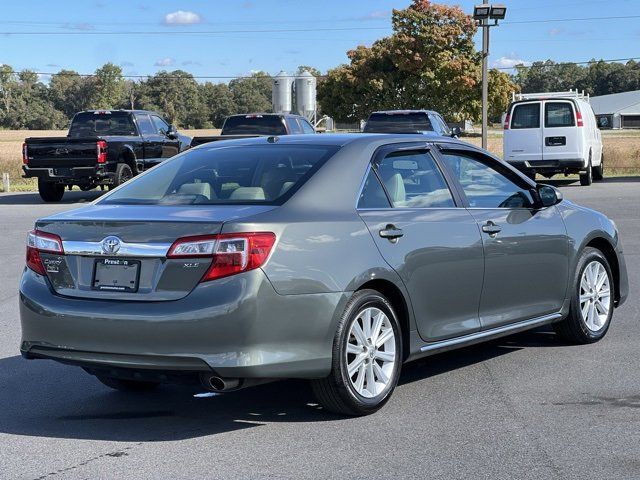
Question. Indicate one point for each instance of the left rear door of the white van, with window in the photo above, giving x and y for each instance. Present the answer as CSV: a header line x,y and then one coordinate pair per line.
x,y
523,138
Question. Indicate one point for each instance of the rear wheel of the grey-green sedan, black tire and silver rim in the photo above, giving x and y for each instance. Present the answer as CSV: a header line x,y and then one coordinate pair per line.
x,y
368,338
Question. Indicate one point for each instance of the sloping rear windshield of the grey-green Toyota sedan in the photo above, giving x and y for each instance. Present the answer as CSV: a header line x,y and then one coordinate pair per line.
x,y
257,174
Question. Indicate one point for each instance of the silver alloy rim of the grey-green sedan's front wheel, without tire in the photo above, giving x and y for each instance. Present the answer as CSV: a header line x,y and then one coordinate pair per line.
x,y
595,296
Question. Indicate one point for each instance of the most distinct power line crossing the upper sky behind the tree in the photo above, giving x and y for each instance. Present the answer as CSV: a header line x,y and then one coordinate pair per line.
x,y
284,30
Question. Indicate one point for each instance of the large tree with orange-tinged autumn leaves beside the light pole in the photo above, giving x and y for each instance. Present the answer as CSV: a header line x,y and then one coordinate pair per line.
x,y
430,61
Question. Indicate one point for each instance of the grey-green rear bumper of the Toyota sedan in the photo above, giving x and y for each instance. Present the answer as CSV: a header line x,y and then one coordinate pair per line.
x,y
235,327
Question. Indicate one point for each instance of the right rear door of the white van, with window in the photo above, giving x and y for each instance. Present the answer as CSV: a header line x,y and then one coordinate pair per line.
x,y
561,131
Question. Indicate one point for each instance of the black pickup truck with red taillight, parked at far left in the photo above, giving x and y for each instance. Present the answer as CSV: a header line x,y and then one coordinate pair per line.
x,y
102,148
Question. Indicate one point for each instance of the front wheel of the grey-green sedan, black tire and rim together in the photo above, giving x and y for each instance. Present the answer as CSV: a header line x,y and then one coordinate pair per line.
x,y
588,298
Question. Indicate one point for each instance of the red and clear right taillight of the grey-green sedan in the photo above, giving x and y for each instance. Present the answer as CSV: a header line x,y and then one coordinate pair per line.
x,y
231,253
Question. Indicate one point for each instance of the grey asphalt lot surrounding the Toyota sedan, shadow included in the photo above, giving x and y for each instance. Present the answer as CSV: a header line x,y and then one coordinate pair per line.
x,y
522,407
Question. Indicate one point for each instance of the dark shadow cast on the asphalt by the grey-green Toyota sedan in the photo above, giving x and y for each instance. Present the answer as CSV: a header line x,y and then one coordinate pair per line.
x,y
46,399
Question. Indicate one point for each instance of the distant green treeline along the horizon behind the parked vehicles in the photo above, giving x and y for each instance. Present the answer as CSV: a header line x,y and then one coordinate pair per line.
x,y
26,102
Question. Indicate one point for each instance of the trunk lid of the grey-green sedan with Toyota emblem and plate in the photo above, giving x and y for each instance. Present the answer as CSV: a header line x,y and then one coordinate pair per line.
x,y
119,252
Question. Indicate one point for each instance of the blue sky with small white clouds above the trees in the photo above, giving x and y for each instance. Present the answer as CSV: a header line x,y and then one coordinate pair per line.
x,y
239,53
